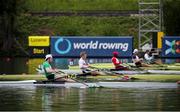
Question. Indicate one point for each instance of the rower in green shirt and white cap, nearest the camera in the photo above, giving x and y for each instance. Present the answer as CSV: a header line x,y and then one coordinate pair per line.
x,y
50,72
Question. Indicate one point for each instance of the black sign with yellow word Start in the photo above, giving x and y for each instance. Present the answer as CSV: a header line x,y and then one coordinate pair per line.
x,y
38,51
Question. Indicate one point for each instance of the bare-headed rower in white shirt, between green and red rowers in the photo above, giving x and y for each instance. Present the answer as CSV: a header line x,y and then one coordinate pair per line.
x,y
84,66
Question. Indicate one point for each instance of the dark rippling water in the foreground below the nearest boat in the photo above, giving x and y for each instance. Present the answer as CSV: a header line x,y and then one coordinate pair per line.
x,y
28,98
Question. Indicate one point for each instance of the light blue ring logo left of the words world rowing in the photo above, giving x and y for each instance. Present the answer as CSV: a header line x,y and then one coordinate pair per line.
x,y
62,49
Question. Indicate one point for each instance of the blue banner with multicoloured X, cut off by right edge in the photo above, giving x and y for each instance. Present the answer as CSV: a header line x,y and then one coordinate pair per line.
x,y
171,46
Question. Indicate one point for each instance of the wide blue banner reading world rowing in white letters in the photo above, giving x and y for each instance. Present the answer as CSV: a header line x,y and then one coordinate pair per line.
x,y
71,46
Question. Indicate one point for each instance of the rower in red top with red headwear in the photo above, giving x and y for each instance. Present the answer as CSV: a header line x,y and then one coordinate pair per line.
x,y
117,63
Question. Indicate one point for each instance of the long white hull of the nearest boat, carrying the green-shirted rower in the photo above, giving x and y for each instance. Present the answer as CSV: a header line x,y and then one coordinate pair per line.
x,y
93,84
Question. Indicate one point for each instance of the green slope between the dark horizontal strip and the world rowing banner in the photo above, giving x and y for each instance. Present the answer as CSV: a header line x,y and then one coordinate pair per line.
x,y
81,26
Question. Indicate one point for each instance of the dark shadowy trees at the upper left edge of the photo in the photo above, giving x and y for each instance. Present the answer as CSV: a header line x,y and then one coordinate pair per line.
x,y
9,11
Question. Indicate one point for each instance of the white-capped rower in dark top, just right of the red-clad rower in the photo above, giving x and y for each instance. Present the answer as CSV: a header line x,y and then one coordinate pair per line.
x,y
138,61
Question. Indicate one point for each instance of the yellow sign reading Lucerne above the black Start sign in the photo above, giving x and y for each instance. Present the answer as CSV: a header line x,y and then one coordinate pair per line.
x,y
39,41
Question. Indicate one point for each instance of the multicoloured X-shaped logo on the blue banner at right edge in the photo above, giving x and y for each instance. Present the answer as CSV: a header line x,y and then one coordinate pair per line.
x,y
174,47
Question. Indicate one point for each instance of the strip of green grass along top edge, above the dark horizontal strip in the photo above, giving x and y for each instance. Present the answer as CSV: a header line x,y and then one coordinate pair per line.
x,y
69,5
